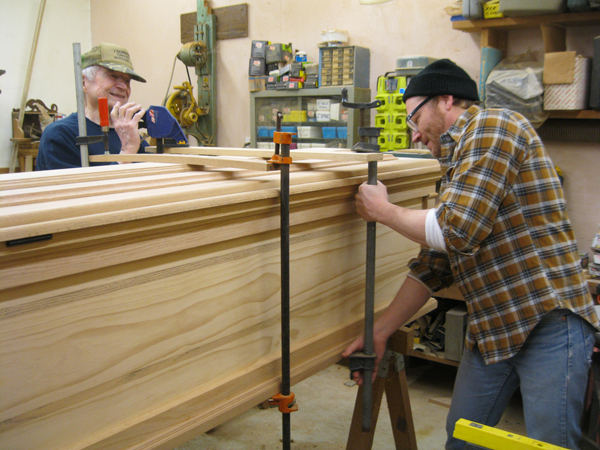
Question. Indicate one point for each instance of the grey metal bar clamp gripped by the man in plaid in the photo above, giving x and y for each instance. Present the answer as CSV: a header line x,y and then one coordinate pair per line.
x,y
365,361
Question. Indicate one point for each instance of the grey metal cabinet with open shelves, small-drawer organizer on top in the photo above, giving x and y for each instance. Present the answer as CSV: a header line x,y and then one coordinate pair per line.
x,y
264,104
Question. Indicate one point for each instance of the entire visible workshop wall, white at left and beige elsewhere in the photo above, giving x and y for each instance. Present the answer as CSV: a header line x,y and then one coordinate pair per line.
x,y
150,30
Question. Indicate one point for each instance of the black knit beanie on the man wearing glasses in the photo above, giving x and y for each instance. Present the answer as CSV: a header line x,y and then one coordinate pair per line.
x,y
442,77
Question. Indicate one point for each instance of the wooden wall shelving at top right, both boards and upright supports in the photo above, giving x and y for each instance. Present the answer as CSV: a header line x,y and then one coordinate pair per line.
x,y
494,33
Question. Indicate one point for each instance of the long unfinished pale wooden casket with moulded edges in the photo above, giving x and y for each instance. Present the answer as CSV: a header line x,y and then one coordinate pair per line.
x,y
140,303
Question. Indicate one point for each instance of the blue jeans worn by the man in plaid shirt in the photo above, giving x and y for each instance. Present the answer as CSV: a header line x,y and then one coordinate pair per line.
x,y
551,370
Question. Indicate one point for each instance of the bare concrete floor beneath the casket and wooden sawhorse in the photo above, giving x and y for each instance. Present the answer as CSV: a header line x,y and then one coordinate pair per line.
x,y
326,403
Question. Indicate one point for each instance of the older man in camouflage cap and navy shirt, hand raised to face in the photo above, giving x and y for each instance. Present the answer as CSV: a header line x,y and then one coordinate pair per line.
x,y
107,72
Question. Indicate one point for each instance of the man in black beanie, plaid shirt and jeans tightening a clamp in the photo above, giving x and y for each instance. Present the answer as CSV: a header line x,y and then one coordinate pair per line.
x,y
500,233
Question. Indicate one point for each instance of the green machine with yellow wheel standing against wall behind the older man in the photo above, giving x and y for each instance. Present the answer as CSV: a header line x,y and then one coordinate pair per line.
x,y
198,118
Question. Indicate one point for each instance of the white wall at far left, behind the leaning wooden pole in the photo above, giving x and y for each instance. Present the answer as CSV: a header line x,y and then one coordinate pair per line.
x,y
52,77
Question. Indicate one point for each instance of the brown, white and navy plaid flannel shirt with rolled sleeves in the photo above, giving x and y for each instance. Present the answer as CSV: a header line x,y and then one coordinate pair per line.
x,y
511,248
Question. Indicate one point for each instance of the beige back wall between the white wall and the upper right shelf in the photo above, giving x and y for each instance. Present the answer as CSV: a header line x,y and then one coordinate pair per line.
x,y
150,30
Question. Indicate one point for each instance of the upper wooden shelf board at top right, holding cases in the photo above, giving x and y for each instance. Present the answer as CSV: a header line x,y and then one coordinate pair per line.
x,y
515,23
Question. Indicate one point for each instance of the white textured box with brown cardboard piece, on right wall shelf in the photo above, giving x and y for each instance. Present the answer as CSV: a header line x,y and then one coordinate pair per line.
x,y
566,81
